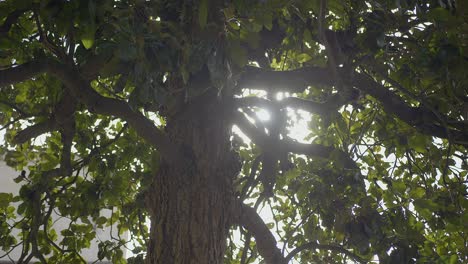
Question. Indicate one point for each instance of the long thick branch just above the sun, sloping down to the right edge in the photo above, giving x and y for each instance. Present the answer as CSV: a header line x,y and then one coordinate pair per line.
x,y
420,118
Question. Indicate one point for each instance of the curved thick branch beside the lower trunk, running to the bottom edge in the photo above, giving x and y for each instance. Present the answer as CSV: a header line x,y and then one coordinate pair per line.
x,y
266,242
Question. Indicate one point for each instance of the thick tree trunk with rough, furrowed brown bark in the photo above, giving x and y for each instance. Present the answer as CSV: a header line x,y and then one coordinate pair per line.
x,y
190,202
